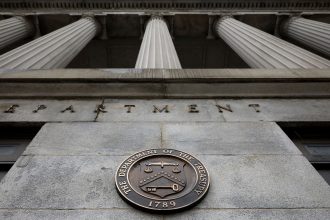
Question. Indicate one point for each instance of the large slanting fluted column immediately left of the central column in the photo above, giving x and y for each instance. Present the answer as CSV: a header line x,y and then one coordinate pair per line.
x,y
54,50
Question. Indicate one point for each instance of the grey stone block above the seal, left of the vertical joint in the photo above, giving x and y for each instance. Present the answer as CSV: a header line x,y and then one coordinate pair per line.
x,y
95,138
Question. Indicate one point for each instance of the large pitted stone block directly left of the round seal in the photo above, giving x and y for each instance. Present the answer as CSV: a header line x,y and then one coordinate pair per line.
x,y
62,182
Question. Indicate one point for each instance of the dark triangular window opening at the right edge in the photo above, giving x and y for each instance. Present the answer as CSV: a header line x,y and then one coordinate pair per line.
x,y
314,142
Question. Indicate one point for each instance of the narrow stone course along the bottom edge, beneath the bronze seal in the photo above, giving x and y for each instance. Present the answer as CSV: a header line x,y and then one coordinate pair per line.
x,y
194,214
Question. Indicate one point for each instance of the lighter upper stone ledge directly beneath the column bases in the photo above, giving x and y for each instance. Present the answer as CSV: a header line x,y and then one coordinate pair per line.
x,y
166,75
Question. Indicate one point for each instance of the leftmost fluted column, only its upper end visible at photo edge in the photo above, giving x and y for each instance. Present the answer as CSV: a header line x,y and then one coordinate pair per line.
x,y
14,29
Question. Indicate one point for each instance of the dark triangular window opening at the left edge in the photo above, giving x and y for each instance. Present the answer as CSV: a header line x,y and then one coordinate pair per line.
x,y
13,141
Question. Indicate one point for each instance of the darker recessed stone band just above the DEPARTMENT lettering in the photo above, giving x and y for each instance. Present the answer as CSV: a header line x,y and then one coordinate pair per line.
x,y
167,90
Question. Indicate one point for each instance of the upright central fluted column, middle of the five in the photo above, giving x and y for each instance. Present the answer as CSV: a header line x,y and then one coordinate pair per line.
x,y
157,49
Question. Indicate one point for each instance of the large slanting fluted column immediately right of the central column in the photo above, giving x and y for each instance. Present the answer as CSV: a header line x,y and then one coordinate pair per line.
x,y
262,50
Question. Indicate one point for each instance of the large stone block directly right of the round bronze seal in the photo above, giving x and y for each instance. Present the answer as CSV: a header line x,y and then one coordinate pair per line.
x,y
264,181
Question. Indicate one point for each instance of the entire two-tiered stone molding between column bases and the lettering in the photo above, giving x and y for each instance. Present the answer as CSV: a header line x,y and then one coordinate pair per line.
x,y
165,84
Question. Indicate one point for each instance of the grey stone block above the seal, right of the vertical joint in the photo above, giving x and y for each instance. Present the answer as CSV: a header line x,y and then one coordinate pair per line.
x,y
228,138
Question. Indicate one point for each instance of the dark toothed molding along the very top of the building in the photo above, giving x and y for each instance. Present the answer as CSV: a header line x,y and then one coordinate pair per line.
x,y
159,5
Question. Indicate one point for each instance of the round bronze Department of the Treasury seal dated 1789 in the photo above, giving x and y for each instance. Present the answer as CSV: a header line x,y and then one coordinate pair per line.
x,y
162,179
